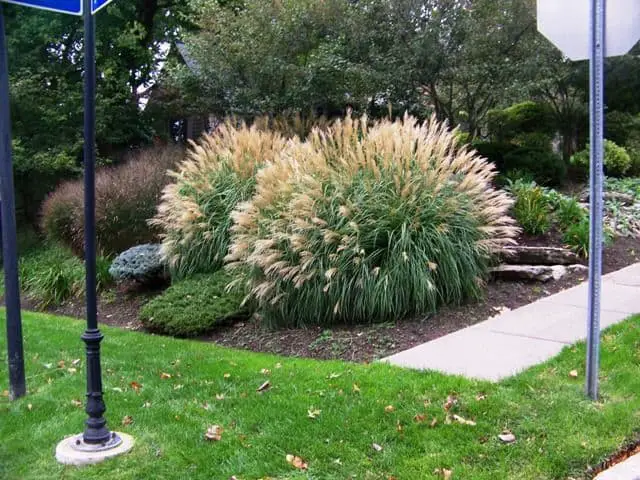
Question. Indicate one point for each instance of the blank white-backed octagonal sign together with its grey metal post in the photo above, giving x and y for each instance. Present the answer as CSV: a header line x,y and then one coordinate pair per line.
x,y
592,29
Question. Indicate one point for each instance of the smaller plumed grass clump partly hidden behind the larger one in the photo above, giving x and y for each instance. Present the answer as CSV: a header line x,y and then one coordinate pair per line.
x,y
218,173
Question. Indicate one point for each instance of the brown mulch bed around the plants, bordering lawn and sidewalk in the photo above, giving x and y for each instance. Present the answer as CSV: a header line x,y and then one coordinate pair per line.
x,y
361,343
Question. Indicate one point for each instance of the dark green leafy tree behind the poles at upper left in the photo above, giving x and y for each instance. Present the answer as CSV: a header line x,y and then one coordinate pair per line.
x,y
46,70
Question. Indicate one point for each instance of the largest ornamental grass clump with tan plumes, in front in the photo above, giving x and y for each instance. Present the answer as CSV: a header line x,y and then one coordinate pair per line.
x,y
369,224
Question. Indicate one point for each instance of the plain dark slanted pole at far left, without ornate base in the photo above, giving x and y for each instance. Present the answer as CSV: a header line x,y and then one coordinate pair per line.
x,y
17,384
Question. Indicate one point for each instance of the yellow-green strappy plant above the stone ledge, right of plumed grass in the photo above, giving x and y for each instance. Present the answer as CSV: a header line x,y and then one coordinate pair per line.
x,y
531,209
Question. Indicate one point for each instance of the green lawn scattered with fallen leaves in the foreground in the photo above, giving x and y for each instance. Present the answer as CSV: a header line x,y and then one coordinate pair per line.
x,y
559,433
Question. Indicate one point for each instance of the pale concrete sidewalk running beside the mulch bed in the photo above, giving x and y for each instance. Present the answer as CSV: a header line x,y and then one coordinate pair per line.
x,y
513,341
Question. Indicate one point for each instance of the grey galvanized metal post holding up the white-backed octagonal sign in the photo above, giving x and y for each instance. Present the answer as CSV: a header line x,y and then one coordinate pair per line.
x,y
598,12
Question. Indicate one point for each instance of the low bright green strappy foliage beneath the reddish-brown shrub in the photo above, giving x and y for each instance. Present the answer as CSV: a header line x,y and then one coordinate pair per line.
x,y
51,274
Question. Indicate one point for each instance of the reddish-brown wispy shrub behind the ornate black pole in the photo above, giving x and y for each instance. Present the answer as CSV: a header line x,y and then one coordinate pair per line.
x,y
126,198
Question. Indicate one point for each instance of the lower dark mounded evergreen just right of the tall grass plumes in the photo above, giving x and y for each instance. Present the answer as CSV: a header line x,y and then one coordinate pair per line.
x,y
545,167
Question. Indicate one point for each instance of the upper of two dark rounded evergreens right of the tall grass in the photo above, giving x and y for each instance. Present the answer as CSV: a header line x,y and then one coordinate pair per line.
x,y
522,118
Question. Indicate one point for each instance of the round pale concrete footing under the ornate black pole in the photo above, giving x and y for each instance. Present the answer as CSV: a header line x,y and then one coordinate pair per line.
x,y
74,451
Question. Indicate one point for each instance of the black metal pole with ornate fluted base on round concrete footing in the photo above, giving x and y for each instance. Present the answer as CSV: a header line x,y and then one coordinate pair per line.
x,y
96,431
